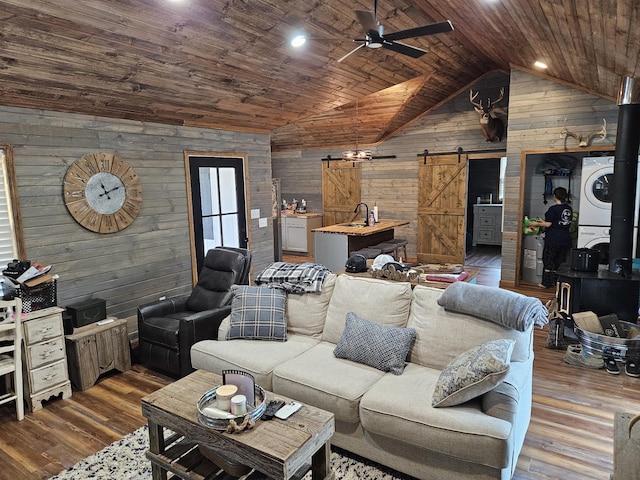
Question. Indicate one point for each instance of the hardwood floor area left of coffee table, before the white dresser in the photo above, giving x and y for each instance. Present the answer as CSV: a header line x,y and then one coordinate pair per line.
x,y
66,431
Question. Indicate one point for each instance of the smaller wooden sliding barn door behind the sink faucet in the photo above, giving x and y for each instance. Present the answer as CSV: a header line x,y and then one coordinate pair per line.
x,y
340,191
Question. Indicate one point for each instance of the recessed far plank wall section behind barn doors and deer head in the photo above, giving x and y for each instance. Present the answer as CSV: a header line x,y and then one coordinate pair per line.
x,y
393,183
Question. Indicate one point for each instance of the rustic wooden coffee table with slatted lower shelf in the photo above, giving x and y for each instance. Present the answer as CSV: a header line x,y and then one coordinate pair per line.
x,y
279,449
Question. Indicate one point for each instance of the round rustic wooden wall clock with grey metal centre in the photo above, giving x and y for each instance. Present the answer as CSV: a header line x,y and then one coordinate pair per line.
x,y
102,192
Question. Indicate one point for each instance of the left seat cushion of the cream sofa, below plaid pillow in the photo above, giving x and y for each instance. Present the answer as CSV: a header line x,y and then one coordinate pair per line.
x,y
257,358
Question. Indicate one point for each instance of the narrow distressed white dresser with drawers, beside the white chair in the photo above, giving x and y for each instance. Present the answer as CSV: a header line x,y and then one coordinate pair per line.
x,y
45,359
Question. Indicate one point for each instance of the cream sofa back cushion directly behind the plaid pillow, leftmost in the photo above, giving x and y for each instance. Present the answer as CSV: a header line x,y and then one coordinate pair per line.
x,y
306,313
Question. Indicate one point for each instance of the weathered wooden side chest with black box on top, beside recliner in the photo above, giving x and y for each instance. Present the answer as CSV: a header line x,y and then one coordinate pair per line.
x,y
96,349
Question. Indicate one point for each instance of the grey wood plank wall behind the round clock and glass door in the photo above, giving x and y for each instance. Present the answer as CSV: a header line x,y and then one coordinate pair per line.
x,y
150,258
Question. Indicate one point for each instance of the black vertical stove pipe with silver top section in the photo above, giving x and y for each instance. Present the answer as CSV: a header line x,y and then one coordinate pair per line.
x,y
625,169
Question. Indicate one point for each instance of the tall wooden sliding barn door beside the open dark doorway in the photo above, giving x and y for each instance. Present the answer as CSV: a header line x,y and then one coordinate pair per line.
x,y
442,188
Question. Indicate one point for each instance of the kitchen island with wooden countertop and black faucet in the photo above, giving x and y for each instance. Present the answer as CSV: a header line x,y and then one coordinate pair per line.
x,y
332,244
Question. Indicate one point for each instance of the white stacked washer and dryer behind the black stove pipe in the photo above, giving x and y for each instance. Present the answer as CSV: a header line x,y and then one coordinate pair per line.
x,y
594,219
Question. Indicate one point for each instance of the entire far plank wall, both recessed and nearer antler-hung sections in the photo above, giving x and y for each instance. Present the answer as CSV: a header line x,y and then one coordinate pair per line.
x,y
536,111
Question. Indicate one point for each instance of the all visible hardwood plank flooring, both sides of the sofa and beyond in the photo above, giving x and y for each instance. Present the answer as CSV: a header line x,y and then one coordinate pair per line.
x,y
569,438
